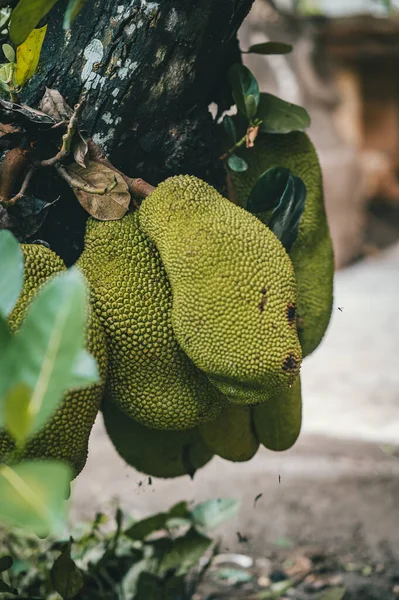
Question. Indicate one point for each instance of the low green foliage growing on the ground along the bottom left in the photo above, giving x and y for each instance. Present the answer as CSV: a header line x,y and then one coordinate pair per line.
x,y
161,557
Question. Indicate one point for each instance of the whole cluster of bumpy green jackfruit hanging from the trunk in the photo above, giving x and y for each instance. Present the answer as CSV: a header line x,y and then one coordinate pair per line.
x,y
199,322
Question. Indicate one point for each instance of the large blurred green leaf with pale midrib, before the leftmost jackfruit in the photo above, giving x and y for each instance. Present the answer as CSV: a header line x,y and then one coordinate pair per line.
x,y
44,353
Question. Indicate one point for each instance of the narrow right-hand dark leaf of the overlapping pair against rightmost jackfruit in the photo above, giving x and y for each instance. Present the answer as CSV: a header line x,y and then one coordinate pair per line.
x,y
286,217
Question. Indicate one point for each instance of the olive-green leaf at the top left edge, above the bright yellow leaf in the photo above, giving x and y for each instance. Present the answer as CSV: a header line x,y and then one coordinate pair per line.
x,y
25,16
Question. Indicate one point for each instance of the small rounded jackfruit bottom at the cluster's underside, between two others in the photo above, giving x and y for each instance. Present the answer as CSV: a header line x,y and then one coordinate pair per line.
x,y
232,436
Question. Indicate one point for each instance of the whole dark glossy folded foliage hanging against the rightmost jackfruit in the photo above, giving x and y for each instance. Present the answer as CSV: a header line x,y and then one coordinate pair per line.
x,y
280,191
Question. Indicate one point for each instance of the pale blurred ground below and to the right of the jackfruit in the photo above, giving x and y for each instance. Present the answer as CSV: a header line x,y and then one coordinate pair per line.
x,y
336,492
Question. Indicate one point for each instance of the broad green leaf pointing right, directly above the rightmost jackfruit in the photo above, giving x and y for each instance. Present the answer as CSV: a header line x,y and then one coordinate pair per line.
x,y
279,116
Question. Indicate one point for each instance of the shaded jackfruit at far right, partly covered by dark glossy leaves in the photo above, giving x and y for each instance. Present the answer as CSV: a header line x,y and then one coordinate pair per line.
x,y
312,253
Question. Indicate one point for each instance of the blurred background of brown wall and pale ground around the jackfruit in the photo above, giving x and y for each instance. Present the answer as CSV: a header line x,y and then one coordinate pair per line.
x,y
338,488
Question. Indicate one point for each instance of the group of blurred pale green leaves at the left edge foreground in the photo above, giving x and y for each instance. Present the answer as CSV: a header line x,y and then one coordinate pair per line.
x,y
37,366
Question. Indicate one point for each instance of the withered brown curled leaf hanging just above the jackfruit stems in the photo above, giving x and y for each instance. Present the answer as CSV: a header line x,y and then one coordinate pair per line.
x,y
104,207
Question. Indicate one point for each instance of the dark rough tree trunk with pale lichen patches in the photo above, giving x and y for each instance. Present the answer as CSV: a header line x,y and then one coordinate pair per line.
x,y
149,71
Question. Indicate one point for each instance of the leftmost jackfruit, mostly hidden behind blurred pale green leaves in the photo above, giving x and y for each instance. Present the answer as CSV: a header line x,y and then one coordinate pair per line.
x,y
65,436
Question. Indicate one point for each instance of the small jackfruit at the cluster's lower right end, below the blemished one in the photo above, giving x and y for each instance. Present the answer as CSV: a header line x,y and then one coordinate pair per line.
x,y
278,422
